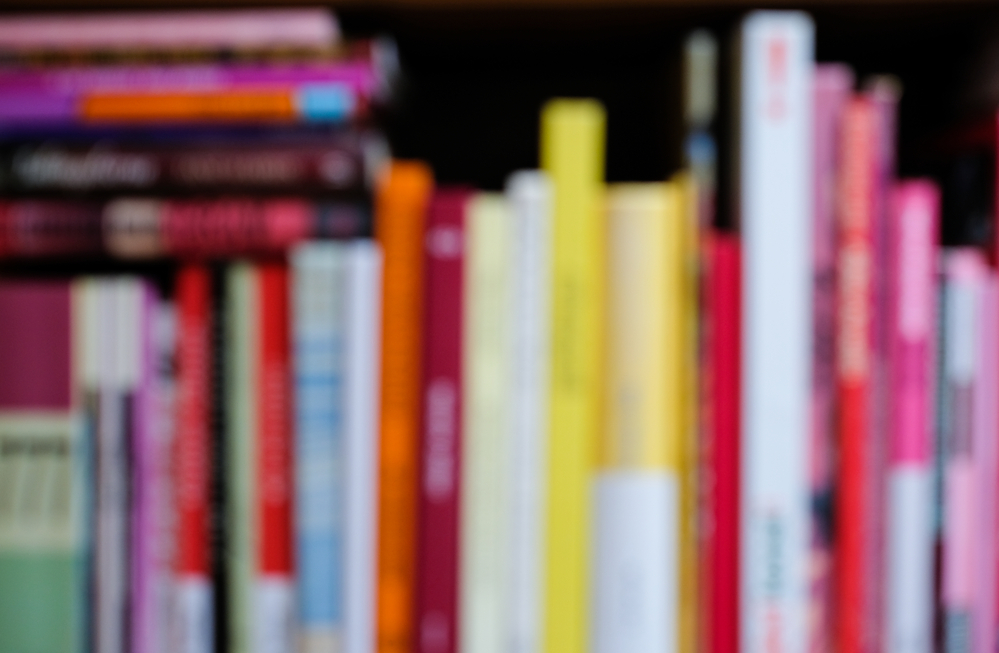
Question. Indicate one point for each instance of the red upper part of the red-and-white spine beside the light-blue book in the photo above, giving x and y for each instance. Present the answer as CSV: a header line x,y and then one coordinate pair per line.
x,y
274,419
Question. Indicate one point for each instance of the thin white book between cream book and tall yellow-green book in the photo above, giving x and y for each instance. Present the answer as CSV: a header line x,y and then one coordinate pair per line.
x,y
530,197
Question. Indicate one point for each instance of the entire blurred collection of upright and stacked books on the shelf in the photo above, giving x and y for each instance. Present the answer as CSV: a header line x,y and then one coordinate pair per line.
x,y
355,411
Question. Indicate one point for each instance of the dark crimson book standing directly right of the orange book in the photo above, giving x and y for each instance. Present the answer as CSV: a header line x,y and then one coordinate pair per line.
x,y
440,471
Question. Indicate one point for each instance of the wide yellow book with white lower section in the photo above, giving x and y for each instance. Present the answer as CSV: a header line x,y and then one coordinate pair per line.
x,y
637,489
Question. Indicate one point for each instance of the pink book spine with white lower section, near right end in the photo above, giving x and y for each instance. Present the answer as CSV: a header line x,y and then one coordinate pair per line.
x,y
914,222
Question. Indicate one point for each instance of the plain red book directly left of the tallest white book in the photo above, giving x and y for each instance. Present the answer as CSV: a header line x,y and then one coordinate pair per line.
x,y
721,410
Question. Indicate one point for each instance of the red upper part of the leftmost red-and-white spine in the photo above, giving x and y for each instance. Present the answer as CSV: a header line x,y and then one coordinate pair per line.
x,y
192,439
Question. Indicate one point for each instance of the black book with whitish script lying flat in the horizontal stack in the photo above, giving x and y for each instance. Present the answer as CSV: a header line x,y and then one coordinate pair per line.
x,y
334,164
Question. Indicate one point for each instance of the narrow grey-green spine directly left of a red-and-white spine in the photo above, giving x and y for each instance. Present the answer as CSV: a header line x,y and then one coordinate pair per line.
x,y
242,378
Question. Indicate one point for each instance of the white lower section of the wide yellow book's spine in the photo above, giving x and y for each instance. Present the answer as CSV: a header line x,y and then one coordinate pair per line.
x,y
635,547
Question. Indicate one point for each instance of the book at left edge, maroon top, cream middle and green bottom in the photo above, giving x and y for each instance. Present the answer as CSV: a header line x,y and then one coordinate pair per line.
x,y
43,454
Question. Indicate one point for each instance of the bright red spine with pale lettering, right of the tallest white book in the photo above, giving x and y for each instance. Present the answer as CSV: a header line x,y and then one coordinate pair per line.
x,y
854,355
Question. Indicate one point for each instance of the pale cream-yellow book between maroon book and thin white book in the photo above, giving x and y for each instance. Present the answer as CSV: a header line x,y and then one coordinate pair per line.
x,y
487,440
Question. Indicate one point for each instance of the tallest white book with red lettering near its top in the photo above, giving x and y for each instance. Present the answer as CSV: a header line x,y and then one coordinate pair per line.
x,y
775,204
